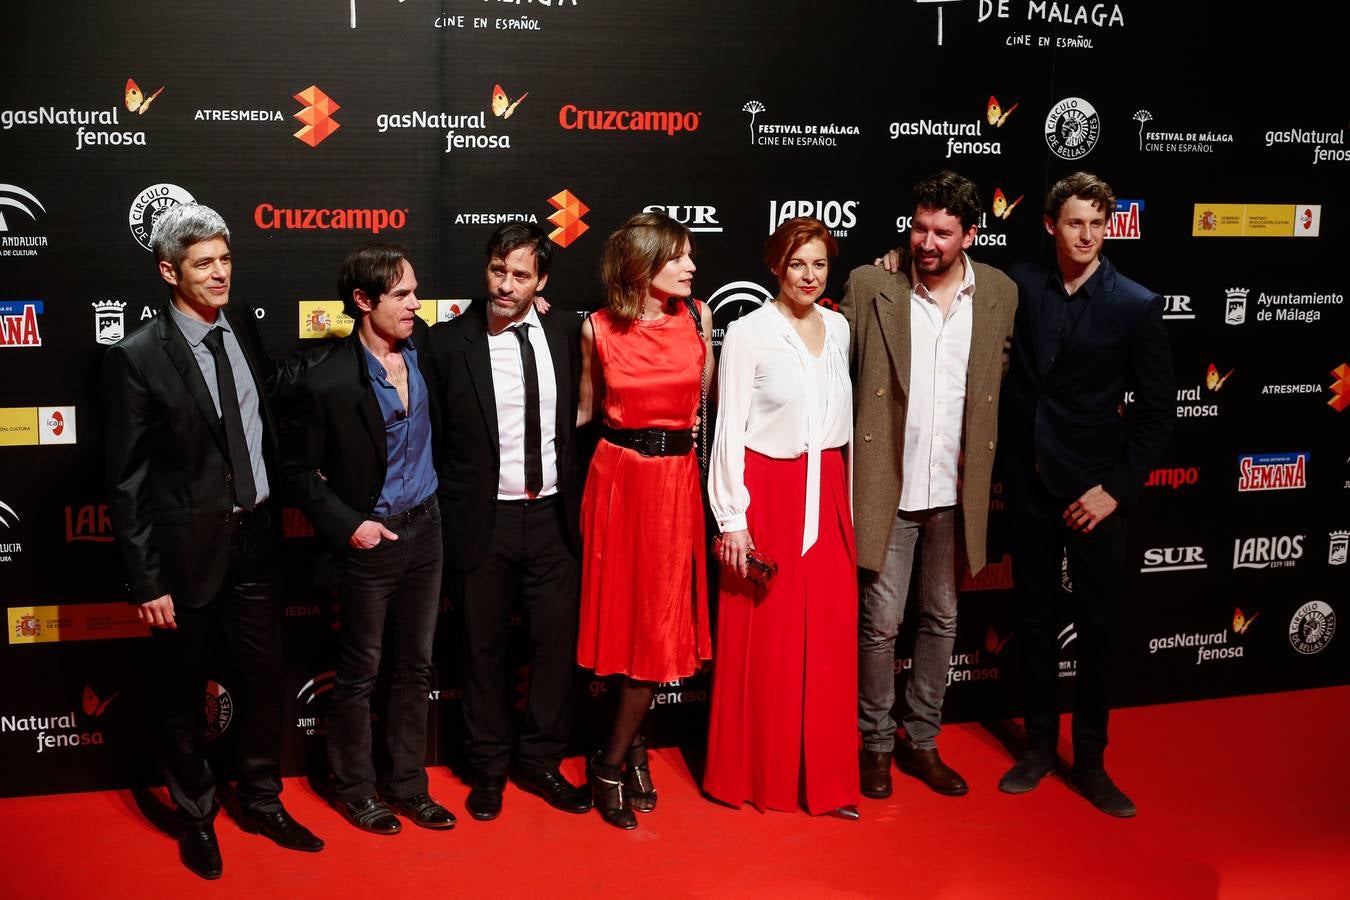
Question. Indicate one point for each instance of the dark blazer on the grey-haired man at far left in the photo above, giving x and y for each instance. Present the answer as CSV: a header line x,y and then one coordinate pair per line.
x,y
168,465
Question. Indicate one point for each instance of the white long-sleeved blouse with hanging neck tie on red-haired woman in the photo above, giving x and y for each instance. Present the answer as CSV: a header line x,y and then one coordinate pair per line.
x,y
781,401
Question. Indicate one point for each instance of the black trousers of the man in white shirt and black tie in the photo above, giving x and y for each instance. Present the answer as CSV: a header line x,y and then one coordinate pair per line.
x,y
527,559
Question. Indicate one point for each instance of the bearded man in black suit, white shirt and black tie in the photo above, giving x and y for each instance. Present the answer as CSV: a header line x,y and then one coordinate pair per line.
x,y
507,385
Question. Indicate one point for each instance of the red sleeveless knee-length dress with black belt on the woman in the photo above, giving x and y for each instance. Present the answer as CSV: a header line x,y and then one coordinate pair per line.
x,y
645,588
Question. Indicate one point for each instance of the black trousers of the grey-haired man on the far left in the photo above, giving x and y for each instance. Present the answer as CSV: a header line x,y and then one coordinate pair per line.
x,y
248,617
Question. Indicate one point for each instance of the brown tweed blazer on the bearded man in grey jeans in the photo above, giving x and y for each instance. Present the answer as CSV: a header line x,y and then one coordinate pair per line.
x,y
877,306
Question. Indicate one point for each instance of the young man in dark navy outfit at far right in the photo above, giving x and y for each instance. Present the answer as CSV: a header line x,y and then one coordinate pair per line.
x,y
1083,338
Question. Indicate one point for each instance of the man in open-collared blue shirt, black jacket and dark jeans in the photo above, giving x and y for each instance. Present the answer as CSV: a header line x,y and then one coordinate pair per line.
x,y
358,461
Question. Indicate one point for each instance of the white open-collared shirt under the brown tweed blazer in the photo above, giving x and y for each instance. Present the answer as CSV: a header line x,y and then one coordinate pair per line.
x,y
939,354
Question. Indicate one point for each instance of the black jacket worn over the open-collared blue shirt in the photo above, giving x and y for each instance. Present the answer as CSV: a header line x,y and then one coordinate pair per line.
x,y
334,450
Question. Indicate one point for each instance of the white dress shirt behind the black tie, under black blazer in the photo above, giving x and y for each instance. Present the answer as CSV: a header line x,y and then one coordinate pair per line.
x,y
510,393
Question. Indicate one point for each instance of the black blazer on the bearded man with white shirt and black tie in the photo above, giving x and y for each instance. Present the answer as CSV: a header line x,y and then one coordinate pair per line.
x,y
470,447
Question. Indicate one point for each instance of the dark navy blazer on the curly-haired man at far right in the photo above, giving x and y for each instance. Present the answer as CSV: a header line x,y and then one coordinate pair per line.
x,y
1066,423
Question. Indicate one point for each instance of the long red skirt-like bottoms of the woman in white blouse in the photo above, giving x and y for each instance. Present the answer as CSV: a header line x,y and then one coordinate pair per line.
x,y
785,686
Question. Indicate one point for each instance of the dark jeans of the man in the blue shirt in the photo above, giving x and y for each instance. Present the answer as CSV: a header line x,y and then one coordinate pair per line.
x,y
389,598
